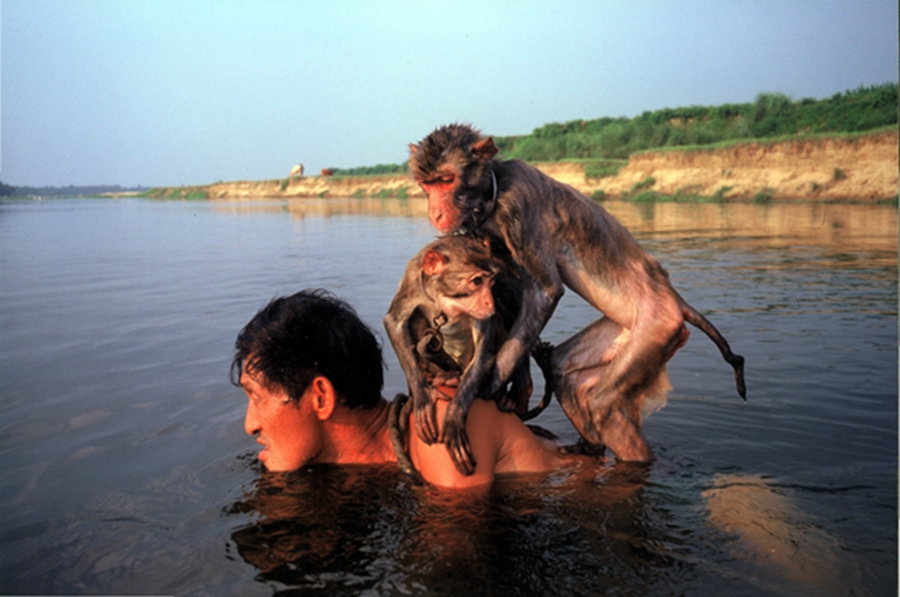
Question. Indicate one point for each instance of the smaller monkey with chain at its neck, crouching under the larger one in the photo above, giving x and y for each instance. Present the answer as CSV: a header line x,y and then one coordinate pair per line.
x,y
446,331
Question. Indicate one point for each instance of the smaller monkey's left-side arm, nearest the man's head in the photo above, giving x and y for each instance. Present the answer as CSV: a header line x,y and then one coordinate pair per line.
x,y
396,324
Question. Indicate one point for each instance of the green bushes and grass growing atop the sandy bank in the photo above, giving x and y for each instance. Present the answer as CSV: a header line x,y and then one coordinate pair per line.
x,y
770,115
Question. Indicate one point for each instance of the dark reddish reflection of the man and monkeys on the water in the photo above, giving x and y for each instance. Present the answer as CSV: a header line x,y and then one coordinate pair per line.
x,y
355,529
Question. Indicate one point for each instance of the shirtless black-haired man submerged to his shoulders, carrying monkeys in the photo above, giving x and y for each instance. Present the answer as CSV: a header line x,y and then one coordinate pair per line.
x,y
313,374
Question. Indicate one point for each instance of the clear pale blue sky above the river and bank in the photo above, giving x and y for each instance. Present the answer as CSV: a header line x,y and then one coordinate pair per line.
x,y
168,92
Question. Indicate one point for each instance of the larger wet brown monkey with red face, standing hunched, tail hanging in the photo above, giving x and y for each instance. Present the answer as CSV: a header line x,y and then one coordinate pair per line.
x,y
558,237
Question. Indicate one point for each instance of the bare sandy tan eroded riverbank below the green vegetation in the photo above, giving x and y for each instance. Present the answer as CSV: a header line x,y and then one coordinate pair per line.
x,y
861,167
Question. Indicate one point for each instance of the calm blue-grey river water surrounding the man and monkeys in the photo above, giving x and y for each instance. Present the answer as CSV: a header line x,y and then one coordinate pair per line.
x,y
126,468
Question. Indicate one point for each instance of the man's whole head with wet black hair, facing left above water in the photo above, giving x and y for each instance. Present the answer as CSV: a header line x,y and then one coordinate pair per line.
x,y
304,361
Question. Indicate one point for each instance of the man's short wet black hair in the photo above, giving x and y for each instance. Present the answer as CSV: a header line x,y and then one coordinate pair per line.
x,y
296,338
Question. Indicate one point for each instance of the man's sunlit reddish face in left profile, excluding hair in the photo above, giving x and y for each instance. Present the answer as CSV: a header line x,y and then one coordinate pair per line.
x,y
291,432
